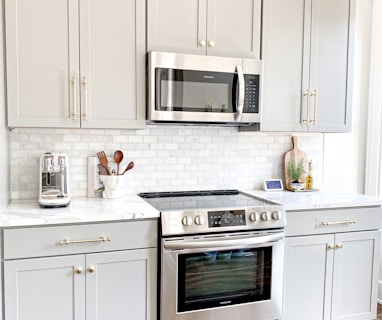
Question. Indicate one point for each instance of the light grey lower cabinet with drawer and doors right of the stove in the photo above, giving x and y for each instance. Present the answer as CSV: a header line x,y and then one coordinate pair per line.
x,y
333,275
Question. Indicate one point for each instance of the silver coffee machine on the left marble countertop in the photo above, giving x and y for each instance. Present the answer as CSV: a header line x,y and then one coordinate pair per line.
x,y
54,183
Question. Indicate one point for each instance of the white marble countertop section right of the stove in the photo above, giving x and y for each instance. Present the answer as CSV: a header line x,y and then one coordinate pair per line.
x,y
316,199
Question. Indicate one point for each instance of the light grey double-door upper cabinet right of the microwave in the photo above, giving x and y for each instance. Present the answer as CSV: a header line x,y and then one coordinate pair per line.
x,y
307,48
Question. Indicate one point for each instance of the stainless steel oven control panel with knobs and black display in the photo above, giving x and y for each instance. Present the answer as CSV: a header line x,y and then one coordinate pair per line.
x,y
233,219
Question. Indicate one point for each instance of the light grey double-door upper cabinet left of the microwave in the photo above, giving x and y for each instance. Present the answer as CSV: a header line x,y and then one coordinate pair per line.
x,y
75,63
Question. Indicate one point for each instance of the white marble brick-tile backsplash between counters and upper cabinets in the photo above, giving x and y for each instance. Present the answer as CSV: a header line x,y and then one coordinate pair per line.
x,y
167,158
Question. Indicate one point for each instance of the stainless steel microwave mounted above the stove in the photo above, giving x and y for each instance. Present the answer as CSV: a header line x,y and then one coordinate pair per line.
x,y
195,89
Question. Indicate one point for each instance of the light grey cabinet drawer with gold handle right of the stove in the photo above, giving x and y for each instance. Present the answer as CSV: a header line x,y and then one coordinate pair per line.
x,y
333,220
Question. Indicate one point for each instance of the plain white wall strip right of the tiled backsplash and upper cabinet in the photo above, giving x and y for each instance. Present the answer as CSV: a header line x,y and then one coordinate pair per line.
x,y
344,154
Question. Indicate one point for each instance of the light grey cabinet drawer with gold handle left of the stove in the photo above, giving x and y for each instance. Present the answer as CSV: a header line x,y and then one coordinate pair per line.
x,y
46,241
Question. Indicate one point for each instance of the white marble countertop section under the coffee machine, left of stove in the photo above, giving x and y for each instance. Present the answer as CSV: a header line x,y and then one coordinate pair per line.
x,y
80,210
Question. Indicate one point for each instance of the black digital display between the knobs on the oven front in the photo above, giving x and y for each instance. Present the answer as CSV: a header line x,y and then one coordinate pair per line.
x,y
226,218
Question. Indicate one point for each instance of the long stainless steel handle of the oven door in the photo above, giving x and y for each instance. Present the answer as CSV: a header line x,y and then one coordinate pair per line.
x,y
220,243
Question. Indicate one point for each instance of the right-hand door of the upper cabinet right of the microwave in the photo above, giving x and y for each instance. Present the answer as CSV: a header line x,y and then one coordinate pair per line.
x,y
331,61
